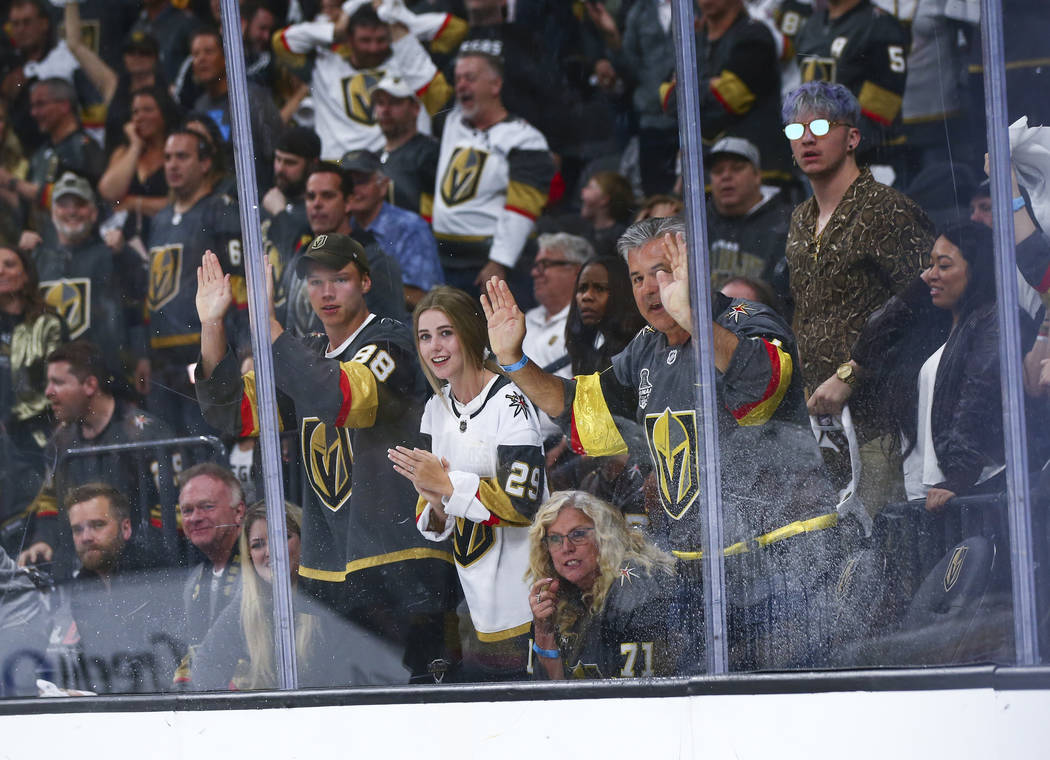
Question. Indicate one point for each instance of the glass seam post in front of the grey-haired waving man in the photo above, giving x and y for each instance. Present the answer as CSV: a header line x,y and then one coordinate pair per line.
x,y
700,294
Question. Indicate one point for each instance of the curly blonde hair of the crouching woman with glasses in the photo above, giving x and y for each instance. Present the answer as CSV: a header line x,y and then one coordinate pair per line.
x,y
618,544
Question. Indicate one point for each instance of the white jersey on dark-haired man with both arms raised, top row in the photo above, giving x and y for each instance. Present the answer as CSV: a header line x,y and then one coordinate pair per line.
x,y
342,94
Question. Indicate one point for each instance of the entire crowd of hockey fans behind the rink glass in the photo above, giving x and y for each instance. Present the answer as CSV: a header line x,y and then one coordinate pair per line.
x,y
480,310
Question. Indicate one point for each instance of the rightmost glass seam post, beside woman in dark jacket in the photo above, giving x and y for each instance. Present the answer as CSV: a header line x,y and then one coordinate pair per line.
x,y
1019,504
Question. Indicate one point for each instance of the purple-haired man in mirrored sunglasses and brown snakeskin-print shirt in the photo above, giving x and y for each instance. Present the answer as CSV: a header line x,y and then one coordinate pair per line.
x,y
853,245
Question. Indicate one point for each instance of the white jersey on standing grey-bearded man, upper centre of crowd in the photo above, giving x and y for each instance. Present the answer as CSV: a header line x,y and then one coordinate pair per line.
x,y
492,183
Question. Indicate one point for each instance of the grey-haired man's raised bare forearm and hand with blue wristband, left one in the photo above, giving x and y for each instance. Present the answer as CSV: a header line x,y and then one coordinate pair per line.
x,y
507,331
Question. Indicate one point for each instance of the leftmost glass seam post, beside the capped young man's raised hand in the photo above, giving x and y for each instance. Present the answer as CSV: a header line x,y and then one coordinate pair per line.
x,y
259,310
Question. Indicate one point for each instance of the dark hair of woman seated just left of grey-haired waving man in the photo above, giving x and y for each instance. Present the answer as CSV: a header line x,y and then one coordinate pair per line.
x,y
621,323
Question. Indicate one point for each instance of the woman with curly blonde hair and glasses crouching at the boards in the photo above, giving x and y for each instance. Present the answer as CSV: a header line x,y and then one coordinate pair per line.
x,y
601,595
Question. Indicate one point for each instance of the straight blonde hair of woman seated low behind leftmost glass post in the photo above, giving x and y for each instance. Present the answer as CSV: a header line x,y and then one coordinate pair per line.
x,y
257,607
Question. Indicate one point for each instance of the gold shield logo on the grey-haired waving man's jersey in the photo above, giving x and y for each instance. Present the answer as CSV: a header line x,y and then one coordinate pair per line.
x,y
674,445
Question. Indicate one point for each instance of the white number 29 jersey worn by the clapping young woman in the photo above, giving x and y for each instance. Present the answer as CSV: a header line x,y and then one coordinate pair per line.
x,y
495,453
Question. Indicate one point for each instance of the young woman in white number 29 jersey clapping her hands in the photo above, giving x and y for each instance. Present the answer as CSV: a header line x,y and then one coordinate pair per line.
x,y
481,482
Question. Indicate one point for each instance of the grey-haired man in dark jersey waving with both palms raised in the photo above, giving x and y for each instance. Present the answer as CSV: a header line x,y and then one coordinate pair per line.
x,y
769,457
